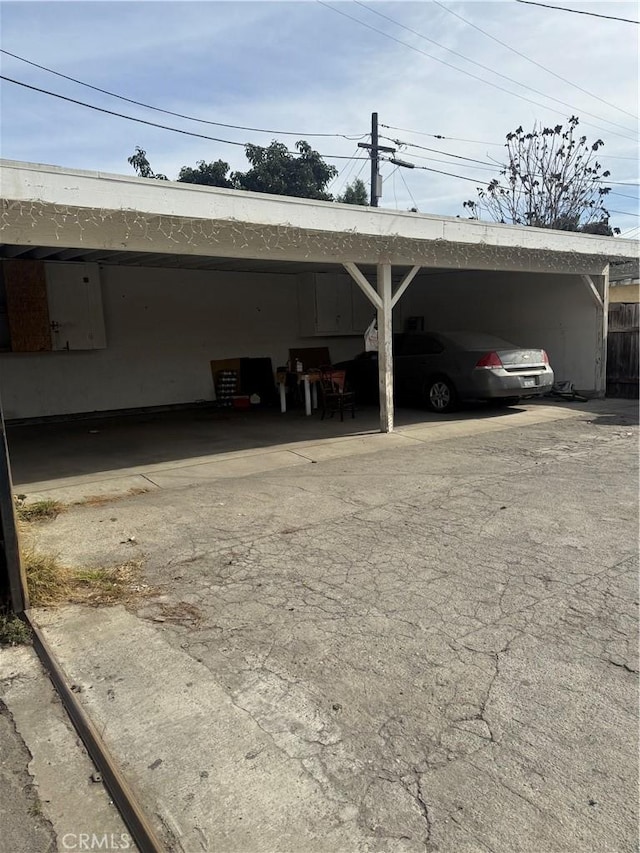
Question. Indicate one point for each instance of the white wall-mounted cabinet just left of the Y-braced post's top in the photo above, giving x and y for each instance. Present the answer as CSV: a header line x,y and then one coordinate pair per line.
x,y
331,304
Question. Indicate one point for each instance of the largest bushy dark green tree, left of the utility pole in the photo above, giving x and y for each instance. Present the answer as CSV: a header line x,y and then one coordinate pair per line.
x,y
276,170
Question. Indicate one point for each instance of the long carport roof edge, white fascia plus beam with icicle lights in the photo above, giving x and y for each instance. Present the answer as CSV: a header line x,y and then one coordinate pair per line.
x,y
60,214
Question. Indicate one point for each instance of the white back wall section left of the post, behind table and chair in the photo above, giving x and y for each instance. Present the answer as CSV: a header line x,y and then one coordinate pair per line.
x,y
163,327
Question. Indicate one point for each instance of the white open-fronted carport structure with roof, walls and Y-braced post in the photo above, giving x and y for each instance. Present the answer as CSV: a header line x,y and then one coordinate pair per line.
x,y
103,237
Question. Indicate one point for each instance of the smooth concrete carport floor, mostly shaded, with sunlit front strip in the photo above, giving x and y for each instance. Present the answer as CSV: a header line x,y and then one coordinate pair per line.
x,y
84,459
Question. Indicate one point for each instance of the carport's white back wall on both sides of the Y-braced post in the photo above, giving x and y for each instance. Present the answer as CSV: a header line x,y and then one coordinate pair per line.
x,y
164,326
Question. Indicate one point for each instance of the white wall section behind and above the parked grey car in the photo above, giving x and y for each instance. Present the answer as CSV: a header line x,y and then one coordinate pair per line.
x,y
551,311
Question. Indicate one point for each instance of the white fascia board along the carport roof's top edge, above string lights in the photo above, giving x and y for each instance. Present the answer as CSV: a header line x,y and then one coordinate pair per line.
x,y
51,185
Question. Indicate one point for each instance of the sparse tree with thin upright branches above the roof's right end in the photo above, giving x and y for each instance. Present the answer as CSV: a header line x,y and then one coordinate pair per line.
x,y
552,179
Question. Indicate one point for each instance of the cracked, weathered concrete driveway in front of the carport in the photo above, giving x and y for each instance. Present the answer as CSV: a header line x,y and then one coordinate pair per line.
x,y
426,648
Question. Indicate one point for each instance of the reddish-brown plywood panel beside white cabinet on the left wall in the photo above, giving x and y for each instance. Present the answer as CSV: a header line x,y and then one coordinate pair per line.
x,y
27,306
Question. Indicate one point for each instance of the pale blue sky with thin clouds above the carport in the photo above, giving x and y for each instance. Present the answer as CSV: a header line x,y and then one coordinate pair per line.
x,y
301,67
